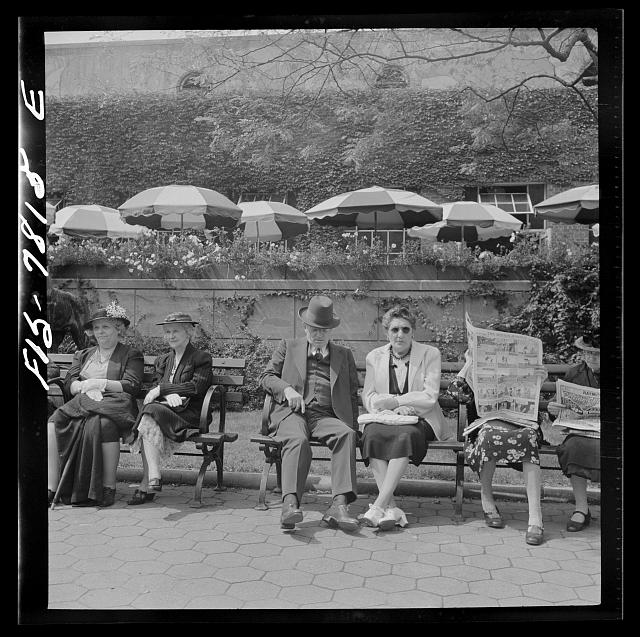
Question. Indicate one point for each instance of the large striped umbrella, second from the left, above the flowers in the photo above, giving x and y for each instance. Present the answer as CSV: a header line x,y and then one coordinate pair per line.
x,y
178,206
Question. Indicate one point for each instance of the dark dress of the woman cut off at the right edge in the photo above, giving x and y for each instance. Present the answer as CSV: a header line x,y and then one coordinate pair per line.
x,y
580,455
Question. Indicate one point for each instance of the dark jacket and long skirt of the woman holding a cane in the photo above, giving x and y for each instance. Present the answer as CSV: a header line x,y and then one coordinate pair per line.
x,y
89,423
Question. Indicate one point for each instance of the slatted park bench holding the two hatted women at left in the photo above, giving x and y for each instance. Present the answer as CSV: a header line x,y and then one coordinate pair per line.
x,y
210,439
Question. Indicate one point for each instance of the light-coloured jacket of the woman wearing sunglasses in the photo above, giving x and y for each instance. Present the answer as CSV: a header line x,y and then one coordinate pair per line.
x,y
424,383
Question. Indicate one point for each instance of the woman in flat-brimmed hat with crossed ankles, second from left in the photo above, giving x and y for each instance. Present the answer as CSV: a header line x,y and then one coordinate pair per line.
x,y
172,407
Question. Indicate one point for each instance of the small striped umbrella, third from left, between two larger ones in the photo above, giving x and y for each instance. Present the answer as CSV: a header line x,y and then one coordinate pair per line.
x,y
271,221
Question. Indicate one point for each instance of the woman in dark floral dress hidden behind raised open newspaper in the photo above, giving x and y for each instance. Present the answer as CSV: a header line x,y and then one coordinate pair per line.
x,y
498,442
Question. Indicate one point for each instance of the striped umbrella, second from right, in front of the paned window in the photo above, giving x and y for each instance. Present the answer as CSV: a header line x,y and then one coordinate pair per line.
x,y
468,221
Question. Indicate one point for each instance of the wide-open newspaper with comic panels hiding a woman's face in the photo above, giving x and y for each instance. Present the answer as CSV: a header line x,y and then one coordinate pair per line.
x,y
505,383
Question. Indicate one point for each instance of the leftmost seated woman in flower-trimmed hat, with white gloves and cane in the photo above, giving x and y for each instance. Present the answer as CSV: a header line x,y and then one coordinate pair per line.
x,y
84,433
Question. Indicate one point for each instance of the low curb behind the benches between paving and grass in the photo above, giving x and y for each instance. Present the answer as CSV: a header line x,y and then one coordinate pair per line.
x,y
423,488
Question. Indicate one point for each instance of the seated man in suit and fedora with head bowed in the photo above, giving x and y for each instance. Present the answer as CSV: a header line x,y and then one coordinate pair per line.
x,y
314,384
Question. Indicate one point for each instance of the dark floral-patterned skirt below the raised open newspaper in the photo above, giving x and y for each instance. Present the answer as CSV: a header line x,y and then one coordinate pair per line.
x,y
505,443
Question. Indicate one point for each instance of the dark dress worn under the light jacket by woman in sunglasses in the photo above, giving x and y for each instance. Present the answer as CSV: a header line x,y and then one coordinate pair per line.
x,y
387,442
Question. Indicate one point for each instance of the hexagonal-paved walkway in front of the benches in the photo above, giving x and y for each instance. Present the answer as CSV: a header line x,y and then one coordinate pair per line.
x,y
167,555
